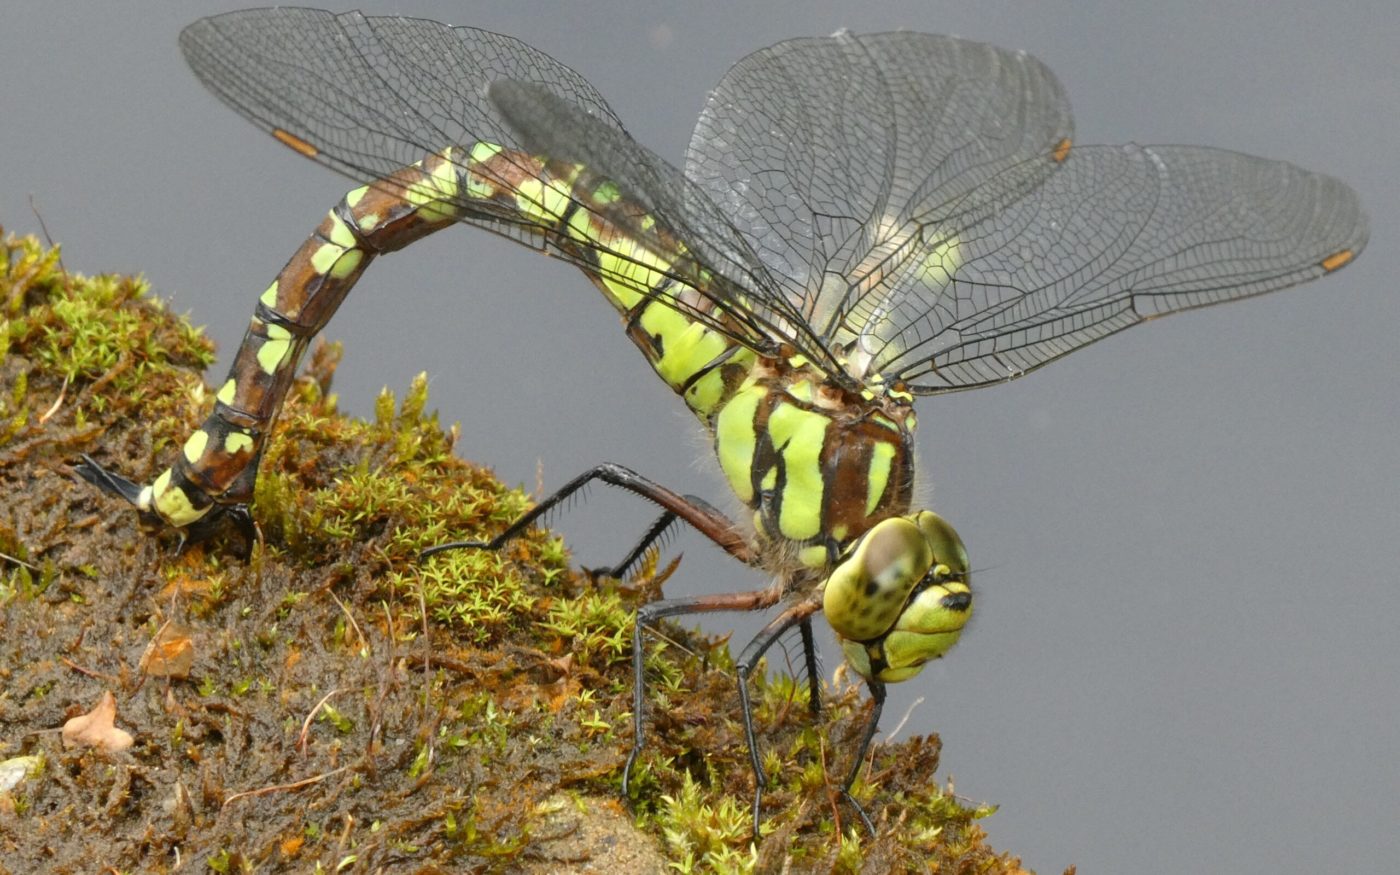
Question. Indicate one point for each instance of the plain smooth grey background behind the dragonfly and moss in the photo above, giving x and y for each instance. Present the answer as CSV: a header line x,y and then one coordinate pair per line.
x,y
1185,653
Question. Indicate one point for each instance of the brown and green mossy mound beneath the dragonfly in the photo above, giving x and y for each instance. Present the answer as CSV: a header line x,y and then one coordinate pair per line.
x,y
331,703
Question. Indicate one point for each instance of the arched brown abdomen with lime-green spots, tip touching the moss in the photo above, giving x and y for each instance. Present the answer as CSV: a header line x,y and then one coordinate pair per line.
x,y
559,206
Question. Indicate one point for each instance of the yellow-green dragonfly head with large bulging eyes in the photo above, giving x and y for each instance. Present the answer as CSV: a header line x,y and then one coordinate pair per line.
x,y
899,597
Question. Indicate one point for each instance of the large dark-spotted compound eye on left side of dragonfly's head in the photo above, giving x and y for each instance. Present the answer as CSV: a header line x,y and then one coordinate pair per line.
x,y
867,591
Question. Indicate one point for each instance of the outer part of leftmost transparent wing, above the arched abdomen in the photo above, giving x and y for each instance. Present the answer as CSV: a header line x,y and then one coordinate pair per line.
x,y
370,94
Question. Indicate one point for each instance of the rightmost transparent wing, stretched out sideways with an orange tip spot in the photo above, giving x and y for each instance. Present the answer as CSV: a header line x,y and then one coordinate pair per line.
x,y
1116,236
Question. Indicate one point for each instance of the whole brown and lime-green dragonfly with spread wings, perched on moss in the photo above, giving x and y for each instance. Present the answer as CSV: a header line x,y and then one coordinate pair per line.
x,y
860,220
